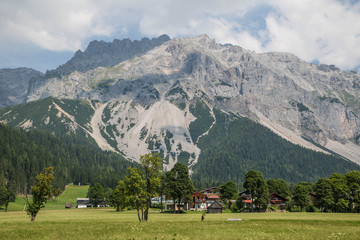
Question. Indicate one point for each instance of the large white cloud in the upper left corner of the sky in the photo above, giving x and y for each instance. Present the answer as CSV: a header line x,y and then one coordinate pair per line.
x,y
52,25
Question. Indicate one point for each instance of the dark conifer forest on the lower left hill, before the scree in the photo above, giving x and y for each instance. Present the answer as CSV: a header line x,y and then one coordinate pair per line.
x,y
26,153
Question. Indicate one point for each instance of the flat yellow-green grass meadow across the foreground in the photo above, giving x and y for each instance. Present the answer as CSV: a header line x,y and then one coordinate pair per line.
x,y
108,224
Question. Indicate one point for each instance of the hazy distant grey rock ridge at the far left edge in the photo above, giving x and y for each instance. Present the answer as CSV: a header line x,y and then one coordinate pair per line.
x,y
14,85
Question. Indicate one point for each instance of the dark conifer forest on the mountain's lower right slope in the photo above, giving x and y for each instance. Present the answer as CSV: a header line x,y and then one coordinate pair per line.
x,y
236,145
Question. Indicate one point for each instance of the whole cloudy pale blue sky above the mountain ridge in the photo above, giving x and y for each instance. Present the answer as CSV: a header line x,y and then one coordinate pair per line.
x,y
43,34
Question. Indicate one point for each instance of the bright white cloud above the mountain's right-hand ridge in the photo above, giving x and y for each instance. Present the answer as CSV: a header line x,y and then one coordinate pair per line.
x,y
324,30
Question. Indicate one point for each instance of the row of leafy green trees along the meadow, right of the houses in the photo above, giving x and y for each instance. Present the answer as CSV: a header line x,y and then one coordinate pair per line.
x,y
337,193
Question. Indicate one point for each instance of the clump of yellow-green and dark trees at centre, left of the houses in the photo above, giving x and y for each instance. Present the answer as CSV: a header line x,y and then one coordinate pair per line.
x,y
139,185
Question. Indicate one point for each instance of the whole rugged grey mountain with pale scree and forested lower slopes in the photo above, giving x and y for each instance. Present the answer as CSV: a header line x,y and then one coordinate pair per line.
x,y
190,99
